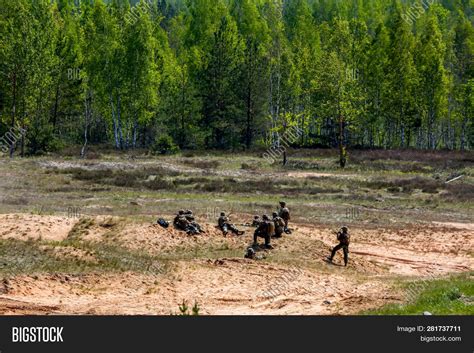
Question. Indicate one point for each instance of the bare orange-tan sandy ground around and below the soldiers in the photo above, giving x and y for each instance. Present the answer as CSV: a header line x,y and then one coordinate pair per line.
x,y
234,285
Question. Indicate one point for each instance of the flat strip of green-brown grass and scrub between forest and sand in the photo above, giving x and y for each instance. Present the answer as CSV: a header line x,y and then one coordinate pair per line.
x,y
400,183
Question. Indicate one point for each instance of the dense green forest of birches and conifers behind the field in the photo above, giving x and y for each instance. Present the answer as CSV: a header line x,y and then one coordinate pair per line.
x,y
166,75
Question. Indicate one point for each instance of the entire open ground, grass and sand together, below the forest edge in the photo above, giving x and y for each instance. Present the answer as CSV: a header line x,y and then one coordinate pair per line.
x,y
94,216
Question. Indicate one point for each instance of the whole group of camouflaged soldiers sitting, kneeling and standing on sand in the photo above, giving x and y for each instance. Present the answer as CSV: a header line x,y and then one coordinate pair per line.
x,y
266,228
